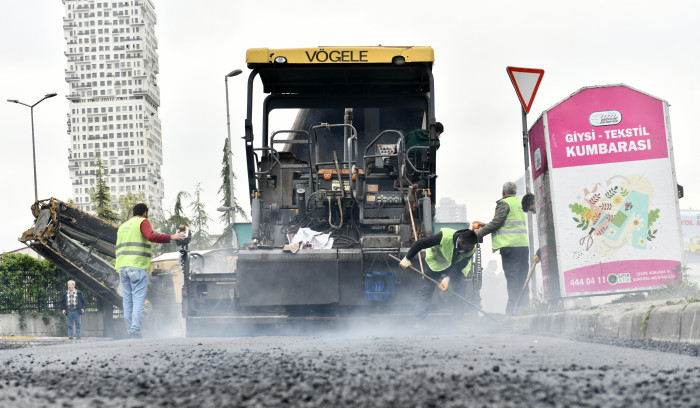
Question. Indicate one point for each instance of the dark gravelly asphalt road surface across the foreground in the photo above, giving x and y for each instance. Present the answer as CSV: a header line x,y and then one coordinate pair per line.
x,y
479,370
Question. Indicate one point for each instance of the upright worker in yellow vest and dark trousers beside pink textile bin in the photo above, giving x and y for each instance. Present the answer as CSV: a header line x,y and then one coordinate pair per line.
x,y
508,230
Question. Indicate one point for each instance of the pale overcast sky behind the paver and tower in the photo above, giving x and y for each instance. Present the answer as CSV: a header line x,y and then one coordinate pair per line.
x,y
645,44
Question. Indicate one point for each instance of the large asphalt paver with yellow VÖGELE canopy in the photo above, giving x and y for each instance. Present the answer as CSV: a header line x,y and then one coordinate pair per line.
x,y
330,197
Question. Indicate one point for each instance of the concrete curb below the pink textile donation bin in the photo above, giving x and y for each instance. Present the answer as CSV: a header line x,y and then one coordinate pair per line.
x,y
639,321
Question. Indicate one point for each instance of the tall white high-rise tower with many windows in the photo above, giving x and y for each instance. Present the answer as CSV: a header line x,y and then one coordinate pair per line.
x,y
114,98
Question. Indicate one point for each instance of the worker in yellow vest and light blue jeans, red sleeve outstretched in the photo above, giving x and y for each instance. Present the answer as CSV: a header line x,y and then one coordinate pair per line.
x,y
133,263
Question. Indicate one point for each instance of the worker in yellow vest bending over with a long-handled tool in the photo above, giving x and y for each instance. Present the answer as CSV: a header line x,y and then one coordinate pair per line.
x,y
448,256
